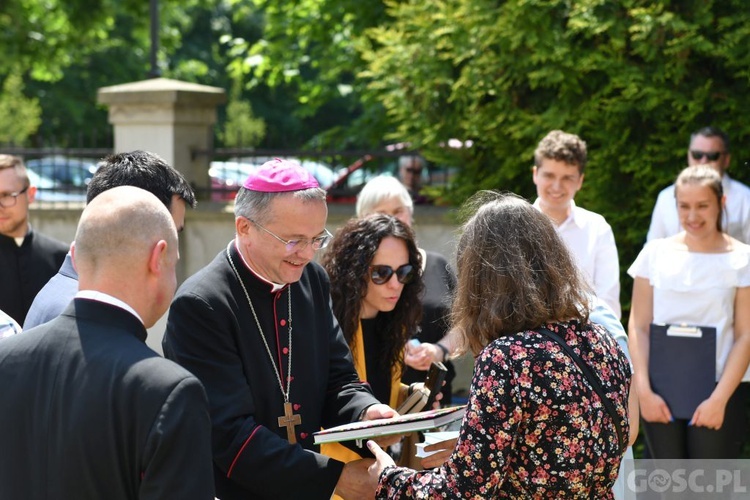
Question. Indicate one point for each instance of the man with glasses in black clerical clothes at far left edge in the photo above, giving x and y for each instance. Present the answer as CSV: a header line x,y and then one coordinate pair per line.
x,y
27,259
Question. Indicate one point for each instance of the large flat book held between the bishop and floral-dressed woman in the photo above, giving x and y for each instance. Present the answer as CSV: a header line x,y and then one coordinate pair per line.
x,y
398,425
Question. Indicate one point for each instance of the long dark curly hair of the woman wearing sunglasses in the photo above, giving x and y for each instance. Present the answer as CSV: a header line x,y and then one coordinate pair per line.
x,y
347,261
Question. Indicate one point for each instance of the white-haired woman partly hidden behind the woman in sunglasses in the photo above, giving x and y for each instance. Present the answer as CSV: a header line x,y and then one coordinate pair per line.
x,y
384,194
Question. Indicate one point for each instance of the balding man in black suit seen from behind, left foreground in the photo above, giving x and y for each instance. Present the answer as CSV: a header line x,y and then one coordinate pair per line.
x,y
87,410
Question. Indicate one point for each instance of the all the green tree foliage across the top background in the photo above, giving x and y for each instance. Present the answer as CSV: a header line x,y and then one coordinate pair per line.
x,y
633,78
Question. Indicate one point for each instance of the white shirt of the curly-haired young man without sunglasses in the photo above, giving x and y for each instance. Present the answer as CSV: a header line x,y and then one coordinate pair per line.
x,y
589,238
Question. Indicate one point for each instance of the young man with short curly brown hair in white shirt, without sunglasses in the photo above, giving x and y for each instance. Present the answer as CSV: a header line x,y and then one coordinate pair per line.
x,y
560,160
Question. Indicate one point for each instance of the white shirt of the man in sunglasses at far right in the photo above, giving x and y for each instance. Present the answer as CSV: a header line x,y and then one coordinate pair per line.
x,y
736,221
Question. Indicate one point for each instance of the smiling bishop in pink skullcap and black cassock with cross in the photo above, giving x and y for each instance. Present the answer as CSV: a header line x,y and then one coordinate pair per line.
x,y
256,327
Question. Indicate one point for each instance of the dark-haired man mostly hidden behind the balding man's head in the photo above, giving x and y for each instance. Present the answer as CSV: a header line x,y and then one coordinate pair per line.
x,y
137,168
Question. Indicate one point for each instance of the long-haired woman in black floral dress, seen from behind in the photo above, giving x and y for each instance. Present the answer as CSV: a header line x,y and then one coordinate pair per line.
x,y
536,425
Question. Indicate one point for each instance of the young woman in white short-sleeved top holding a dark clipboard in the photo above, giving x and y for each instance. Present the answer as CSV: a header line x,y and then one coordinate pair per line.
x,y
700,276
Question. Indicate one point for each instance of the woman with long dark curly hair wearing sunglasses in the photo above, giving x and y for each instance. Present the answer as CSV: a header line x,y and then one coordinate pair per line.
x,y
373,264
